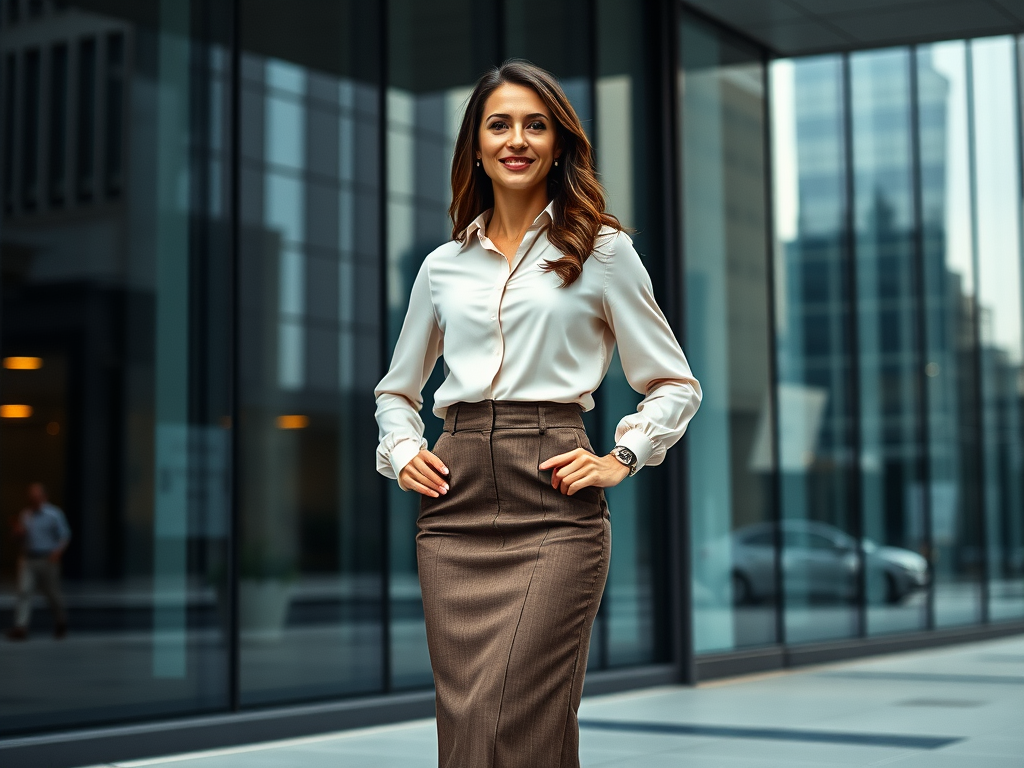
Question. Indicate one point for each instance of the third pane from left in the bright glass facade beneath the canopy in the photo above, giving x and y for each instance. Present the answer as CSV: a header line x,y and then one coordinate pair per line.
x,y
951,370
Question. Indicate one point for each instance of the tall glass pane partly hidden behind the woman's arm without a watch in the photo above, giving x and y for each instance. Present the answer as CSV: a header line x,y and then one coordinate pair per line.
x,y
437,53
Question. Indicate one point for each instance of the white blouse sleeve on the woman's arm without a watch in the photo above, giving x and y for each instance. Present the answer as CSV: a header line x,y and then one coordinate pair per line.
x,y
400,393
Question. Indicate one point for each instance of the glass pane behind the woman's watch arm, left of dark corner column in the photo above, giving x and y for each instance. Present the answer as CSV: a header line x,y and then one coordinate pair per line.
x,y
633,623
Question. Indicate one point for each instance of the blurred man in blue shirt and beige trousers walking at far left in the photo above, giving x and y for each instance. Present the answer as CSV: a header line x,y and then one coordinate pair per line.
x,y
44,532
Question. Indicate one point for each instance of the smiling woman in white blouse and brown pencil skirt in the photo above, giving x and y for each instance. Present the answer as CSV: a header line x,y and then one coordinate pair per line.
x,y
527,304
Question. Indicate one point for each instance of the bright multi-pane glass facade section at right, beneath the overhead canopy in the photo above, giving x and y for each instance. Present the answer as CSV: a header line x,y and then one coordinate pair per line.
x,y
898,214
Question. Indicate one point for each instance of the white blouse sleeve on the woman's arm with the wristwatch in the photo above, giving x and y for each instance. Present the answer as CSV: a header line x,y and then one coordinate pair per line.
x,y
653,361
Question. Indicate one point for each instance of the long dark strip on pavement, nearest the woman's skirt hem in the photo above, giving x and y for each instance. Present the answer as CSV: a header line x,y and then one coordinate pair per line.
x,y
777,735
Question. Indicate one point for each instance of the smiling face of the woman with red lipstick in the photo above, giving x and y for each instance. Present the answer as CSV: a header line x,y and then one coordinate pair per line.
x,y
519,142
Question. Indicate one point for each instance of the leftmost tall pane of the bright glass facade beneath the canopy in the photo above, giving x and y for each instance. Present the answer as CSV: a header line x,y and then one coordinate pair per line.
x,y
814,347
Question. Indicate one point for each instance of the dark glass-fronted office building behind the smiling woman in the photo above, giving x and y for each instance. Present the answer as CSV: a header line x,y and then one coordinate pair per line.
x,y
210,219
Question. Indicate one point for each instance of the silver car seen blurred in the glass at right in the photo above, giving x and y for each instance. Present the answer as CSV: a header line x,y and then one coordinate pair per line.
x,y
821,562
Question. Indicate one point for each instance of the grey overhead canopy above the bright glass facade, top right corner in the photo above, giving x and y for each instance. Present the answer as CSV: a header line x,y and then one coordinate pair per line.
x,y
798,27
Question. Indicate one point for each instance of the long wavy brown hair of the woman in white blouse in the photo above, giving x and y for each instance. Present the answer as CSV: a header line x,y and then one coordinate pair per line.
x,y
579,209
